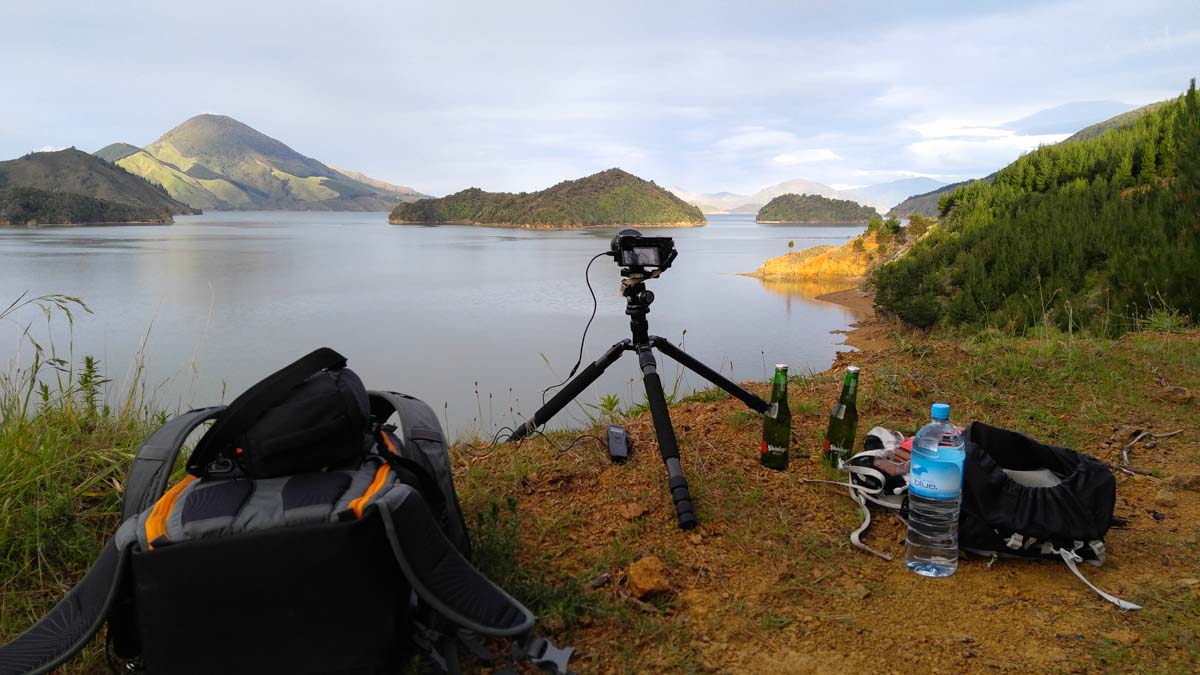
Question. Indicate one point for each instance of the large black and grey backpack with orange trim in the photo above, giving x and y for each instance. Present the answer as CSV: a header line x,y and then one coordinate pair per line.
x,y
311,535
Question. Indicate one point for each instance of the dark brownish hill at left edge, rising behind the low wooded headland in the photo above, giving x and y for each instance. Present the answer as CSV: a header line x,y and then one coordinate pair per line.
x,y
80,174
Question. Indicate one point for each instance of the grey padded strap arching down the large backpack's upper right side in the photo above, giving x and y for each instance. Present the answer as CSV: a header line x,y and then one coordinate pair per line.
x,y
424,443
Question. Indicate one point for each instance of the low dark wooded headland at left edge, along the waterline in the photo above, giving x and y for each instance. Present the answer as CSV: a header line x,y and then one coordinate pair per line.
x,y
29,207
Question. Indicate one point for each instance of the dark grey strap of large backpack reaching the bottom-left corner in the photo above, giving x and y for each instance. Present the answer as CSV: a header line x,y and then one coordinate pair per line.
x,y
62,634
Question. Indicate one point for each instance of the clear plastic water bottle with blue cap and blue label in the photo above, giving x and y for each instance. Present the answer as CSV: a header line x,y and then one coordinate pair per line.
x,y
935,492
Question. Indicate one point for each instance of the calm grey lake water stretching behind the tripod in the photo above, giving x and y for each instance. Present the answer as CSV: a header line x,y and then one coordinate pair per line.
x,y
476,321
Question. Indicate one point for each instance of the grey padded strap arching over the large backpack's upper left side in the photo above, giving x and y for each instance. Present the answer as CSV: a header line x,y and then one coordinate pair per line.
x,y
152,468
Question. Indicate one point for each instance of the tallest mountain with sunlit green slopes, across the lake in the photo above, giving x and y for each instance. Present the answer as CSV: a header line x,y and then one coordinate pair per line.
x,y
218,163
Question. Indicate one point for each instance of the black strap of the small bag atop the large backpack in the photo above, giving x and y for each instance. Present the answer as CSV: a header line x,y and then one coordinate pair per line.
x,y
255,402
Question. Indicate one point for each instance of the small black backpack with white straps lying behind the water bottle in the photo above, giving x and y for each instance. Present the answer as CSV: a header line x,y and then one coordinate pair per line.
x,y
1022,499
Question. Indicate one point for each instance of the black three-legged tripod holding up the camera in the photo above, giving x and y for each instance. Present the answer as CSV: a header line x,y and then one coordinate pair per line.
x,y
638,306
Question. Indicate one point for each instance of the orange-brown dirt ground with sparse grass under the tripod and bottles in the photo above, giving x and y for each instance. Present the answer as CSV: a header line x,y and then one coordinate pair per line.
x,y
769,582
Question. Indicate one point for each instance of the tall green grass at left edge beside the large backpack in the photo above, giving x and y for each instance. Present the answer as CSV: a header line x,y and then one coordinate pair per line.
x,y
64,452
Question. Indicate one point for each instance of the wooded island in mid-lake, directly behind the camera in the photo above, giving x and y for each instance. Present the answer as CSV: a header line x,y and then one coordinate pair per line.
x,y
608,199
